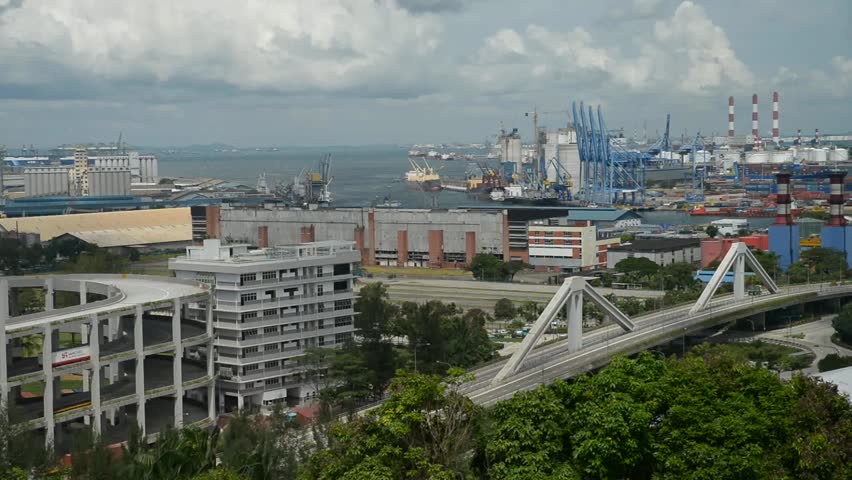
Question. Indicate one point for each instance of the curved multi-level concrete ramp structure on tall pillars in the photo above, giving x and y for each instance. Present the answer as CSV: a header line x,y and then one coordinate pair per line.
x,y
115,351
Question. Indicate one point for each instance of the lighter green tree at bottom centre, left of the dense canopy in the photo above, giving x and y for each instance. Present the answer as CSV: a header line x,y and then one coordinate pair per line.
x,y
404,437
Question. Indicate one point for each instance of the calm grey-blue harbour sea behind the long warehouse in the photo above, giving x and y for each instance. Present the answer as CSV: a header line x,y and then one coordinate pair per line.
x,y
360,175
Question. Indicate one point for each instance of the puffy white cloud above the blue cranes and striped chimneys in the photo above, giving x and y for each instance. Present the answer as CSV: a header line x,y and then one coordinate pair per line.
x,y
686,52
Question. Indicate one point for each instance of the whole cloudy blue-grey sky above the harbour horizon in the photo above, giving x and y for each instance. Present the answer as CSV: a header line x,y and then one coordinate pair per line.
x,y
331,72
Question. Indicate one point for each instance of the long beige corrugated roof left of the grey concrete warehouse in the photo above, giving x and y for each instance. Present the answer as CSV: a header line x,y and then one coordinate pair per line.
x,y
132,227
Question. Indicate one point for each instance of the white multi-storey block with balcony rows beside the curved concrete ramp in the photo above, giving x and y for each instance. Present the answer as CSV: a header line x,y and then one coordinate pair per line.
x,y
271,305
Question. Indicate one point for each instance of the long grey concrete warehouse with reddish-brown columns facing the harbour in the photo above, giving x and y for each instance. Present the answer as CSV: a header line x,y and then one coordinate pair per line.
x,y
392,237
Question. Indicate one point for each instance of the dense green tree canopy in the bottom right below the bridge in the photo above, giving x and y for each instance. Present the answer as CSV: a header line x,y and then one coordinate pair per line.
x,y
708,416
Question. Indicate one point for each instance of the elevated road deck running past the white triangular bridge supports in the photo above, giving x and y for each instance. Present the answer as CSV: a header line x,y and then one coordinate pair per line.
x,y
546,364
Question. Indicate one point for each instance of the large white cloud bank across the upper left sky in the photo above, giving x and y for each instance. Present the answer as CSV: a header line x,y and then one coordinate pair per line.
x,y
279,45
